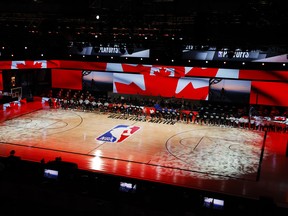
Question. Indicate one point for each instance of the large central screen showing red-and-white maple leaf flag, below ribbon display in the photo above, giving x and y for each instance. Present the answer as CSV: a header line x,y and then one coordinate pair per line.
x,y
164,86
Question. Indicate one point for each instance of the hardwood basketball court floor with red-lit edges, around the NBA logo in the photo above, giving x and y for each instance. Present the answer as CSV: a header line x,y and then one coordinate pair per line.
x,y
231,161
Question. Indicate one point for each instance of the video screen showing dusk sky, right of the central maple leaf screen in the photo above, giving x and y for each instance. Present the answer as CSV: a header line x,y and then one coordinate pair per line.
x,y
230,91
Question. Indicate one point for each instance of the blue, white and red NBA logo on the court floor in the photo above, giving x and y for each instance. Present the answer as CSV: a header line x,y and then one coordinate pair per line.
x,y
118,134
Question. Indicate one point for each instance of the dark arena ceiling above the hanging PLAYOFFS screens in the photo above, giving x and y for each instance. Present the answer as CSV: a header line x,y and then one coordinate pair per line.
x,y
53,24
